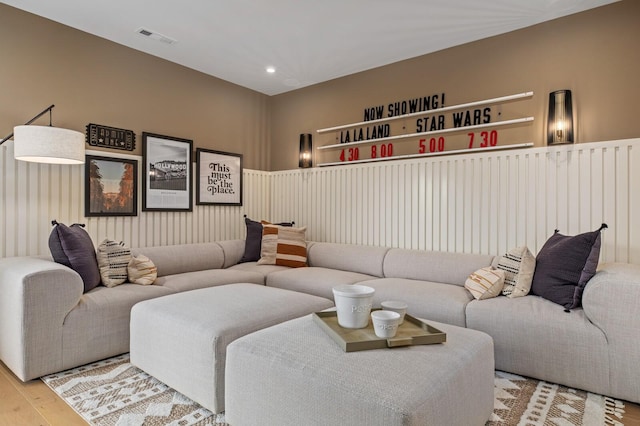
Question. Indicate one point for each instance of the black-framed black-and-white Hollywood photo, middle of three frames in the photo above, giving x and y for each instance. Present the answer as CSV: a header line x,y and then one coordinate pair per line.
x,y
166,183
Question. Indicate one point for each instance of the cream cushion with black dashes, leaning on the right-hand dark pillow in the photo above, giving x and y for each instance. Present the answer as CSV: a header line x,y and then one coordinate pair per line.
x,y
518,265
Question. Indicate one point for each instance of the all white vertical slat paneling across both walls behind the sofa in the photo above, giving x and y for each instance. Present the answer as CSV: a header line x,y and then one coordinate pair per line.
x,y
484,202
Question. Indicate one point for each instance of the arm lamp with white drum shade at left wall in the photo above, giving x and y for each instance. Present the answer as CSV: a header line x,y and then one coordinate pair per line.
x,y
46,144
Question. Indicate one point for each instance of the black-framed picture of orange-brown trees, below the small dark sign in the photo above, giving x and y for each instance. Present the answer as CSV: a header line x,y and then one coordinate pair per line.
x,y
111,186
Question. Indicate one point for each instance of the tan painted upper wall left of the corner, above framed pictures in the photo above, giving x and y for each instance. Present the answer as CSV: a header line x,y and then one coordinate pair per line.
x,y
92,80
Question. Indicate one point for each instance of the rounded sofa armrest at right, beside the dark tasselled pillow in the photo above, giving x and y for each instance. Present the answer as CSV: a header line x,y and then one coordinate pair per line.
x,y
610,301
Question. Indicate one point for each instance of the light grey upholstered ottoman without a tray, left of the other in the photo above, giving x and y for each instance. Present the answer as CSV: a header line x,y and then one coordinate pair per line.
x,y
181,339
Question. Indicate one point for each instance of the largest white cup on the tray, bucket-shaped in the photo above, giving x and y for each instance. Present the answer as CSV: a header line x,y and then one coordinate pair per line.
x,y
353,303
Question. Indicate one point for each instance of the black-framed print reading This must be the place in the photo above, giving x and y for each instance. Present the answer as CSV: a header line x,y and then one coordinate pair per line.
x,y
219,178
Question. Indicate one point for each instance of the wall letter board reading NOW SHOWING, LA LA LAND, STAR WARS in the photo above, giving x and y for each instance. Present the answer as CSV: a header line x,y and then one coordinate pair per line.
x,y
387,133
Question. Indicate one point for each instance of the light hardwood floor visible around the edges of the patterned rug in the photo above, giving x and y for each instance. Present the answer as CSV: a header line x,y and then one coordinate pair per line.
x,y
34,404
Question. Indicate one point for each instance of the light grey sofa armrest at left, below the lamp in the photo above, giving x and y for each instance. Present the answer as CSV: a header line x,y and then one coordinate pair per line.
x,y
35,297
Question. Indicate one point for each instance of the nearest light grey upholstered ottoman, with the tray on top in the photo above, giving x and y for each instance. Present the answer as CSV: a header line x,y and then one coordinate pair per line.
x,y
294,374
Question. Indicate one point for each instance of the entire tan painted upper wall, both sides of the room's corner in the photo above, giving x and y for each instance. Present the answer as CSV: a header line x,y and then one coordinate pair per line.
x,y
92,80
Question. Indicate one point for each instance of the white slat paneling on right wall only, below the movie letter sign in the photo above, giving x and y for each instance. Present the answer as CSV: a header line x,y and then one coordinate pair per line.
x,y
485,202
